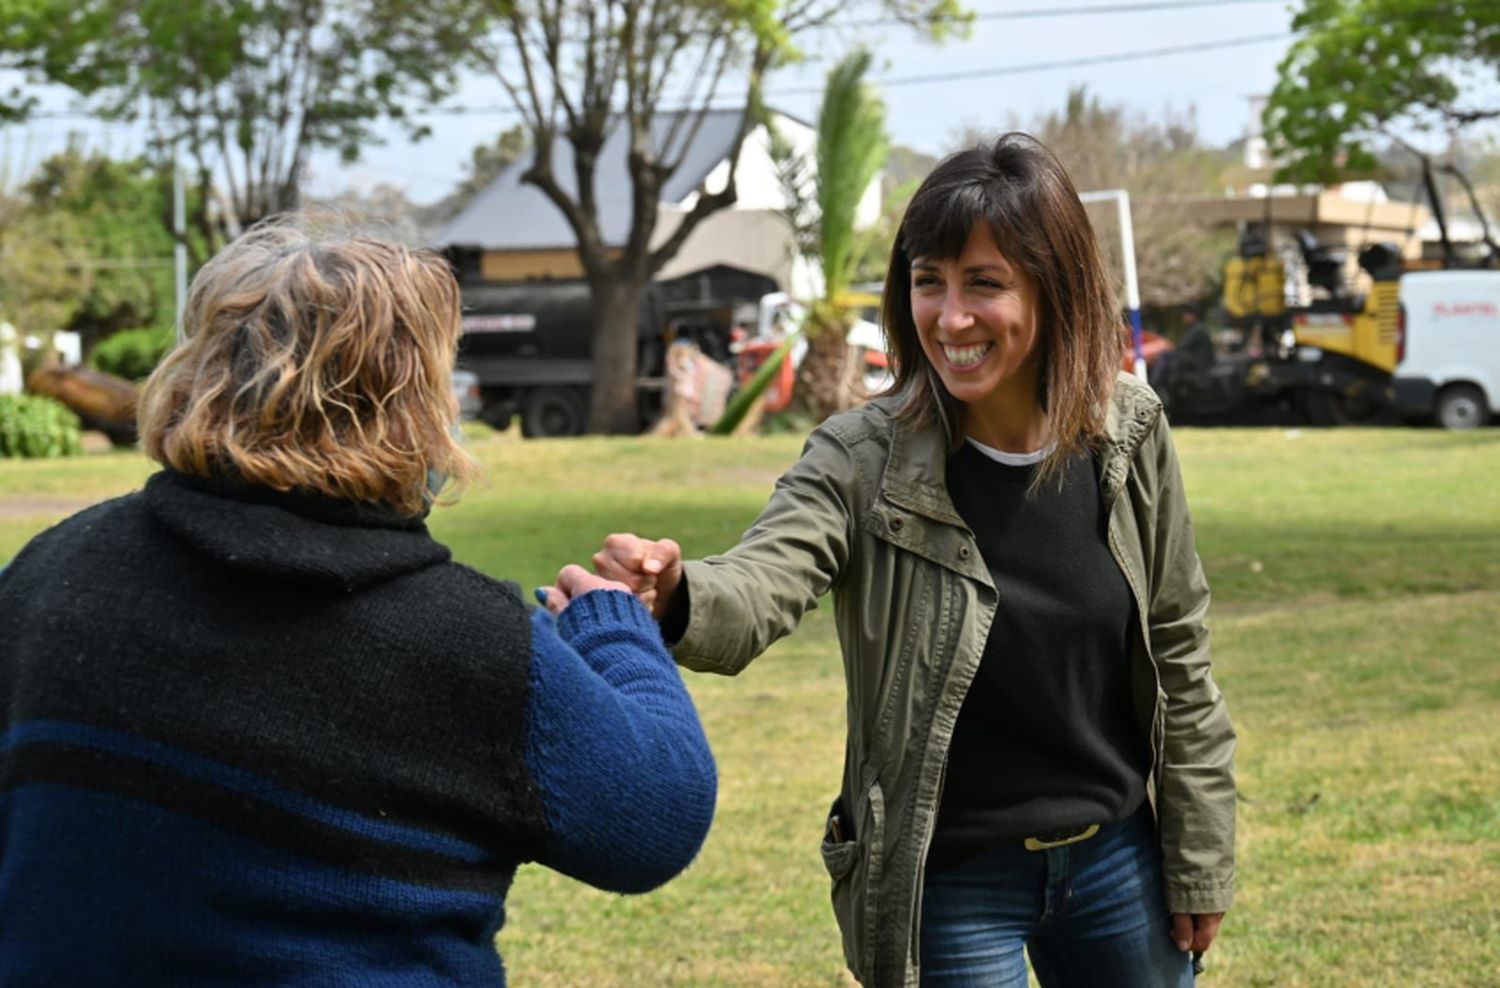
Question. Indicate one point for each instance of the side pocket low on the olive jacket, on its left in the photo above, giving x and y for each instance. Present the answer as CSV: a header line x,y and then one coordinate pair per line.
x,y
856,866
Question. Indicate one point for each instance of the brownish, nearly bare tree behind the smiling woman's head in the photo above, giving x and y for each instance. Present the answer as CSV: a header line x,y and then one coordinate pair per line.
x,y
1159,164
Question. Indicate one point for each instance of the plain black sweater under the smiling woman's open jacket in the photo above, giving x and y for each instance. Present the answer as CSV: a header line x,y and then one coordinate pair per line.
x,y
1046,738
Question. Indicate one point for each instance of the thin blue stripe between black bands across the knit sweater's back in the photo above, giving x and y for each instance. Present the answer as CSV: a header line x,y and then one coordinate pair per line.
x,y
220,774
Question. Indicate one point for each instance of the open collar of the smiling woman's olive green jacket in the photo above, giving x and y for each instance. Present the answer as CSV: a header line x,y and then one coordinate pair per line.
x,y
916,473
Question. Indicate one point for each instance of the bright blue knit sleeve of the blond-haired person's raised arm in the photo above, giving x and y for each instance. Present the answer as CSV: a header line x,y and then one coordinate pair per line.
x,y
626,774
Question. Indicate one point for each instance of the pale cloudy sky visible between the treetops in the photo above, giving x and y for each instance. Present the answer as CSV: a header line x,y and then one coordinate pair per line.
x,y
1007,74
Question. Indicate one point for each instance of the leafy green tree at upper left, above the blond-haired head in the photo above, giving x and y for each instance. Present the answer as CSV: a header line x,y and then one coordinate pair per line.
x,y
247,88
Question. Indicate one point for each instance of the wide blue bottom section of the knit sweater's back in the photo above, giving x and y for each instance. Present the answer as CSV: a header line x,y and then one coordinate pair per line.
x,y
107,893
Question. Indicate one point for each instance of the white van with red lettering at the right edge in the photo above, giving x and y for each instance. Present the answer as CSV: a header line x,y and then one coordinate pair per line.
x,y
1448,358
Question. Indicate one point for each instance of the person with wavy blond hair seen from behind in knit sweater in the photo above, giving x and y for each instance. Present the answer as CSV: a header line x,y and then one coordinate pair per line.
x,y
257,728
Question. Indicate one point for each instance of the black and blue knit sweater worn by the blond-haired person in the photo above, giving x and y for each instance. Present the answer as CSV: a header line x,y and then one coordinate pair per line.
x,y
272,740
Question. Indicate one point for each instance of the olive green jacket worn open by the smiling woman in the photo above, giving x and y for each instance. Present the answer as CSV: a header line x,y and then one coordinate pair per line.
x,y
866,513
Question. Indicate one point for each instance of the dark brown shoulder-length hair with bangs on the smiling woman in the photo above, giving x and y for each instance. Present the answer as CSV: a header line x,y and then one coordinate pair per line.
x,y
1024,194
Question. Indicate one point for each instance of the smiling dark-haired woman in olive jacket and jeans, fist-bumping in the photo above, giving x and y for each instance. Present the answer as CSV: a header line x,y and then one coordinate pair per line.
x,y
1037,753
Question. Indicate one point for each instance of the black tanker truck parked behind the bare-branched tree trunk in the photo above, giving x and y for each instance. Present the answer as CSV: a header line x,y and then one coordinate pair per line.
x,y
530,344
